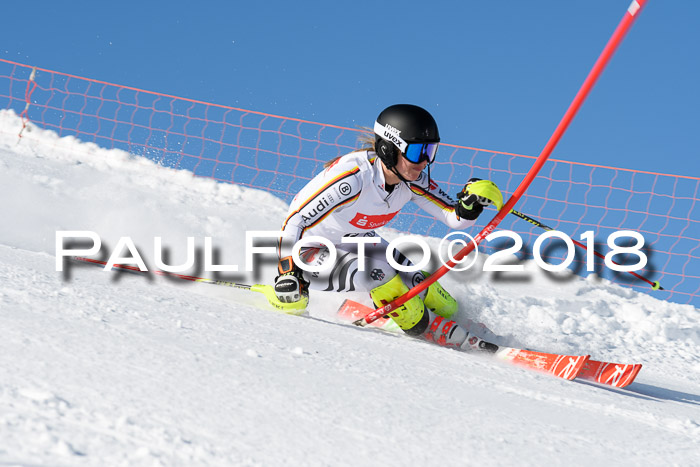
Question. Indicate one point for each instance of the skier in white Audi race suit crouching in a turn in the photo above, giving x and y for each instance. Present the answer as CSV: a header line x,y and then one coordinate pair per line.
x,y
362,191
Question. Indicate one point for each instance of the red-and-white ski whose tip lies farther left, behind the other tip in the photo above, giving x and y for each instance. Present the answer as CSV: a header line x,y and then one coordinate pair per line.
x,y
562,366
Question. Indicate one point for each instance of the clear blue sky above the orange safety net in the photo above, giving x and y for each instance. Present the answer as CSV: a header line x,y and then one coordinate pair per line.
x,y
496,75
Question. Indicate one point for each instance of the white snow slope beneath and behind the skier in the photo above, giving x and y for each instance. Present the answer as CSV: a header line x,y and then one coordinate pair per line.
x,y
105,368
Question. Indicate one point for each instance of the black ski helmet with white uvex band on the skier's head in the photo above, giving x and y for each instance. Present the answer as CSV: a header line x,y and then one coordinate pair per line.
x,y
400,125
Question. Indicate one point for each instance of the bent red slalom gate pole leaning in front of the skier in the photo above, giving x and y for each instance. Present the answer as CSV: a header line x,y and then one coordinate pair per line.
x,y
615,40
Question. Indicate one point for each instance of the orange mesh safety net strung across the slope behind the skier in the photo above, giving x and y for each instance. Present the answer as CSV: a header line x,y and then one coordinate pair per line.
x,y
279,155
